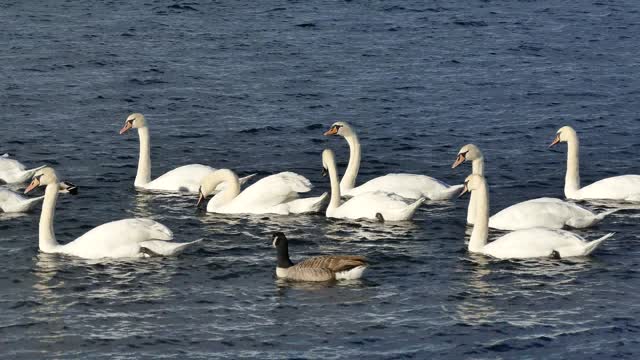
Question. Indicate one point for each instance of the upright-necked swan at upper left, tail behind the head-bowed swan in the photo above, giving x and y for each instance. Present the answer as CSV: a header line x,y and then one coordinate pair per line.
x,y
185,178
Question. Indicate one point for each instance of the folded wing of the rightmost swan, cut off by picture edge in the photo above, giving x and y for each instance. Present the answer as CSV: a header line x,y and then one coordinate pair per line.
x,y
615,188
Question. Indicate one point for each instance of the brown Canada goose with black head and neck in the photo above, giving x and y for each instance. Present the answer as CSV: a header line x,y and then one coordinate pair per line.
x,y
317,268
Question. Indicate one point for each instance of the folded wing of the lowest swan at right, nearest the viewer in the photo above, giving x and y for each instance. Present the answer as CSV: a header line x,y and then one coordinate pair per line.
x,y
537,242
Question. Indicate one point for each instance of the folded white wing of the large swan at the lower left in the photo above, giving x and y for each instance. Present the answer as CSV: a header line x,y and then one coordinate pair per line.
x,y
120,238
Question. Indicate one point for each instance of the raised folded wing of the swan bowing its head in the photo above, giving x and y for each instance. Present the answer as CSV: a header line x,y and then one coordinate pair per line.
x,y
273,190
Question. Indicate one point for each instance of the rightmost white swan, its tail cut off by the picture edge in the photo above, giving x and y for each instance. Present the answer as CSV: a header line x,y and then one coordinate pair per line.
x,y
624,187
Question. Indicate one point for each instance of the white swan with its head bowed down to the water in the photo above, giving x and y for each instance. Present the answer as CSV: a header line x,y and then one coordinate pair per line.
x,y
274,194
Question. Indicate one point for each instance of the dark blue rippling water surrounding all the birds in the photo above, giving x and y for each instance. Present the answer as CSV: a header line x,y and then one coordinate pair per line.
x,y
252,86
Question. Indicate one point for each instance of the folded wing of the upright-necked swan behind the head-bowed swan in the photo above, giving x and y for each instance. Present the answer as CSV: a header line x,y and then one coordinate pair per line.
x,y
185,178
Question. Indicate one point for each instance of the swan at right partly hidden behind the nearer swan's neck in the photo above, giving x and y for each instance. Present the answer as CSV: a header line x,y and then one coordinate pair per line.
x,y
540,212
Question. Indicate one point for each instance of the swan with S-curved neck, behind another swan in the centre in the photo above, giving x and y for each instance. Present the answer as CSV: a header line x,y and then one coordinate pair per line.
x,y
409,186
